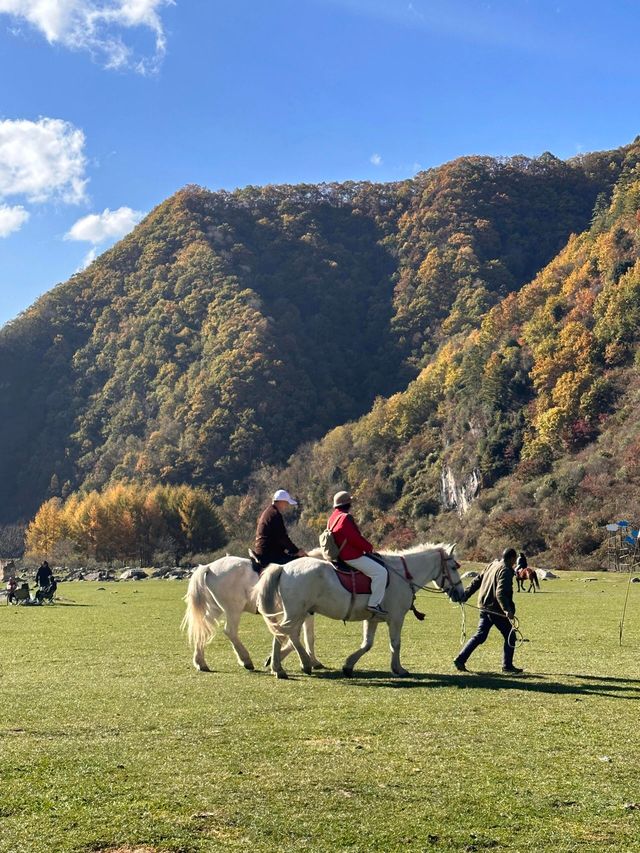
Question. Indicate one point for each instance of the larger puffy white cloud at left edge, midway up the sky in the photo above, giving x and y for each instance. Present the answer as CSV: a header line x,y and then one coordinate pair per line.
x,y
42,160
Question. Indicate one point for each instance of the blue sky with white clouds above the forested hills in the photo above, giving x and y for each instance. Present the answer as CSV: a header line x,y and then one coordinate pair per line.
x,y
109,106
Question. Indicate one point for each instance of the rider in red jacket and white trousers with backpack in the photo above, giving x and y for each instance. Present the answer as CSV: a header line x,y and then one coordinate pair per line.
x,y
356,551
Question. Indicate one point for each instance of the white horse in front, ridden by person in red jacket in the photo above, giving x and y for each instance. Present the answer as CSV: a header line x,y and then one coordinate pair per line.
x,y
286,594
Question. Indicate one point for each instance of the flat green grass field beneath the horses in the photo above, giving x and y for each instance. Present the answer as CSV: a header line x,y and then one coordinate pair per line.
x,y
110,740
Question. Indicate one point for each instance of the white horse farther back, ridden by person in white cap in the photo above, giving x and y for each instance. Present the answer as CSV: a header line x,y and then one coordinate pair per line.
x,y
226,589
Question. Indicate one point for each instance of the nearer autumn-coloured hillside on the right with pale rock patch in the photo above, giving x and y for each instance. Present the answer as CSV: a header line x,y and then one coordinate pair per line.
x,y
523,431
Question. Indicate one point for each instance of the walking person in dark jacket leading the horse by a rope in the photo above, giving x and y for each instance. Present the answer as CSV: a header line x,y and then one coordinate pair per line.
x,y
497,609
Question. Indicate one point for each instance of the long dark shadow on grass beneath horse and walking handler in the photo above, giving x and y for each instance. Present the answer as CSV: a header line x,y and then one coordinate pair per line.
x,y
554,683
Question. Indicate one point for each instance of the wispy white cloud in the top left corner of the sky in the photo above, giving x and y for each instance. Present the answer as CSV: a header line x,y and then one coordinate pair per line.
x,y
96,26
